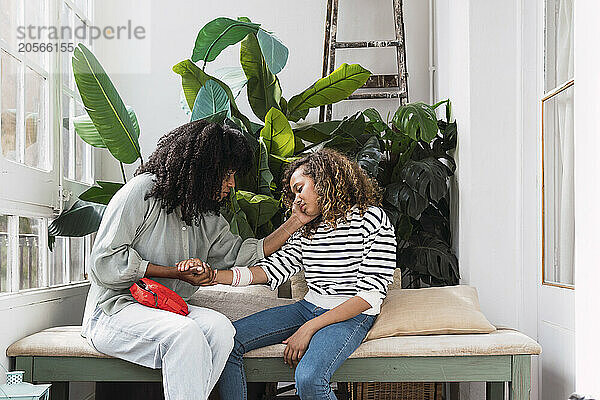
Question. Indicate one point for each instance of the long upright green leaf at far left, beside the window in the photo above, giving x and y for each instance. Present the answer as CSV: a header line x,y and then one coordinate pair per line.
x,y
105,107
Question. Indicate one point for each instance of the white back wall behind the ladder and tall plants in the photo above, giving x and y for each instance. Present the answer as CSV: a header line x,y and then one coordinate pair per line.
x,y
153,89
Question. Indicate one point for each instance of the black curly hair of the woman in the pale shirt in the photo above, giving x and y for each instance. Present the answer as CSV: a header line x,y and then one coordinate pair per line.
x,y
190,164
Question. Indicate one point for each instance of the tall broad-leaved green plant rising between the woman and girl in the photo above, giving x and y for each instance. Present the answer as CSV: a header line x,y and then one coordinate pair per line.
x,y
255,207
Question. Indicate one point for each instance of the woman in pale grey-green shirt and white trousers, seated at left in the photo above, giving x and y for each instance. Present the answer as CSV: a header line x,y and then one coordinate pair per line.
x,y
167,213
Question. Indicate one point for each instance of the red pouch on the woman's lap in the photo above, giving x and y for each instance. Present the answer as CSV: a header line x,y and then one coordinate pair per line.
x,y
152,294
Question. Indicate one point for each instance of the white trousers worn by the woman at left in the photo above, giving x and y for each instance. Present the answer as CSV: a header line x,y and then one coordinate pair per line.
x,y
191,350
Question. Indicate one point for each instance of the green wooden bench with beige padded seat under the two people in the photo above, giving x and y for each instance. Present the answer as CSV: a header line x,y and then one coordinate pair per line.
x,y
60,355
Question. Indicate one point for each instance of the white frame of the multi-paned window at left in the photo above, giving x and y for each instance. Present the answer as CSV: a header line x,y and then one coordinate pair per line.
x,y
36,193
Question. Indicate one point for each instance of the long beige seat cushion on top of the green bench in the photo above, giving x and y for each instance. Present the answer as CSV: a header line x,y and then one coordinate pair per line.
x,y
66,341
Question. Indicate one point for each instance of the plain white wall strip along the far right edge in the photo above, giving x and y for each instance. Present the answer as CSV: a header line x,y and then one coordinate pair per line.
x,y
587,193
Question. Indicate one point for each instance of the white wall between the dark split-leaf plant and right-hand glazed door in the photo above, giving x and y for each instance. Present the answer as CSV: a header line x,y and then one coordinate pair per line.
x,y
487,65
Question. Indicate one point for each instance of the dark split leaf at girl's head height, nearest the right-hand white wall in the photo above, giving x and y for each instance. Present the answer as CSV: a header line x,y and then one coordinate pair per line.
x,y
428,177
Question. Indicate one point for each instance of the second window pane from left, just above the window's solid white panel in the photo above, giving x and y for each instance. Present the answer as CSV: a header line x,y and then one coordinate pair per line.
x,y
36,143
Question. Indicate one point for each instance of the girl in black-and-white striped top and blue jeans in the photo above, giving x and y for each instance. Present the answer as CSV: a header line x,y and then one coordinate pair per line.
x,y
348,253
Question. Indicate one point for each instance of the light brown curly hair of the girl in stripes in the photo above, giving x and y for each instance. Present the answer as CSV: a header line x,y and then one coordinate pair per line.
x,y
340,184
